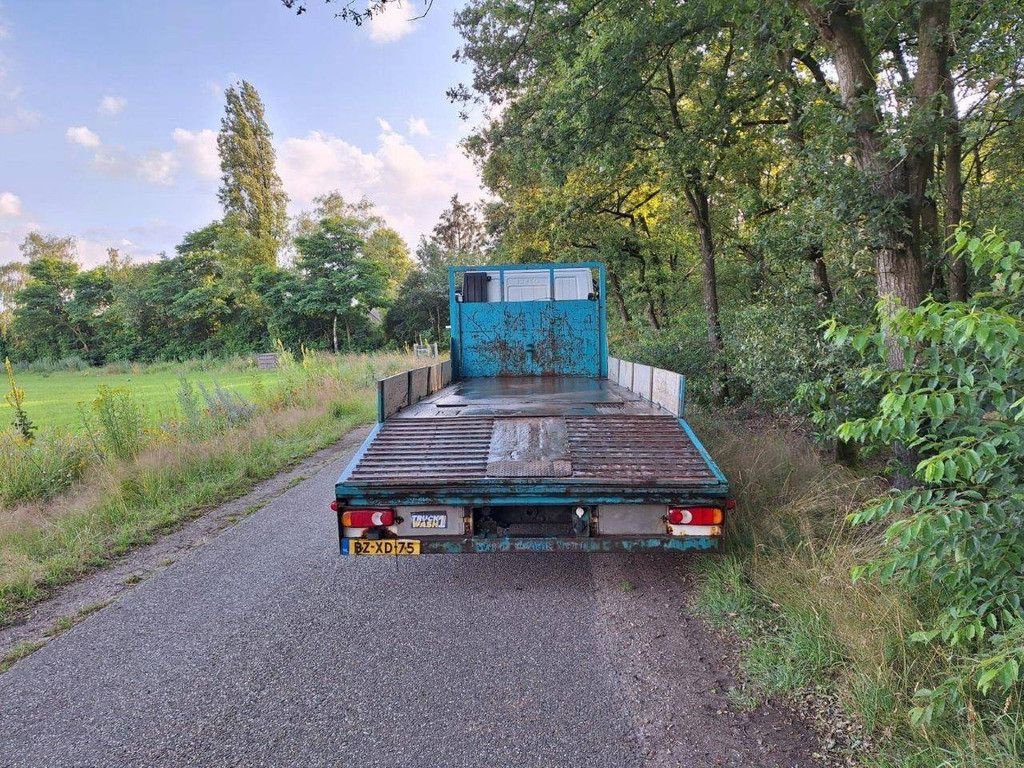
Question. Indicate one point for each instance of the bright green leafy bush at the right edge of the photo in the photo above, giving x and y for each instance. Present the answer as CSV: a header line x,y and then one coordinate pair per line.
x,y
958,407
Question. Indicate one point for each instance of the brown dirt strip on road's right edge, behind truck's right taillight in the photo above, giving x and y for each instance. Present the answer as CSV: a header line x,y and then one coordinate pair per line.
x,y
678,675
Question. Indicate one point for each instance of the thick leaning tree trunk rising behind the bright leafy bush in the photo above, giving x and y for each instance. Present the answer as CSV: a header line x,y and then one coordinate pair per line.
x,y
898,257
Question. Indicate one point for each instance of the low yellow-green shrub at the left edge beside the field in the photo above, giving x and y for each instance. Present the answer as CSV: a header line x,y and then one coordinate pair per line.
x,y
41,470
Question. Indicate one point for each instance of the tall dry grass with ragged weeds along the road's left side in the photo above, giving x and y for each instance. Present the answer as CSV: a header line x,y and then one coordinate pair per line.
x,y
212,454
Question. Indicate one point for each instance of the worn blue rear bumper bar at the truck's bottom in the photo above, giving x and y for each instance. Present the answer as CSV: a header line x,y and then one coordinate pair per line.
x,y
477,546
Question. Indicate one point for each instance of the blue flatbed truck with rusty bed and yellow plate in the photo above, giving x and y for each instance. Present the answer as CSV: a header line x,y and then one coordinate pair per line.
x,y
531,439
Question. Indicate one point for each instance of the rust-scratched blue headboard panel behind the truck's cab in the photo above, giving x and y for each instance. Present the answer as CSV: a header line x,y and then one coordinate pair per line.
x,y
531,338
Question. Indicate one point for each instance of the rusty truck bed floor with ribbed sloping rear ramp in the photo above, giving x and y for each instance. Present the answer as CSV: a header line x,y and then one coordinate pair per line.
x,y
482,441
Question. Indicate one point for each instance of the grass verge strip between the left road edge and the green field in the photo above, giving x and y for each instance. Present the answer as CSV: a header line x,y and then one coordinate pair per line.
x,y
122,504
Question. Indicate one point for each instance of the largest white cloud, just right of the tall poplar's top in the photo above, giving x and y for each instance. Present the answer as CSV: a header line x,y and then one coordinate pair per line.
x,y
410,188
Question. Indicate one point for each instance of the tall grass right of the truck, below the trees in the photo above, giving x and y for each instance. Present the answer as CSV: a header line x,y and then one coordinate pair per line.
x,y
785,586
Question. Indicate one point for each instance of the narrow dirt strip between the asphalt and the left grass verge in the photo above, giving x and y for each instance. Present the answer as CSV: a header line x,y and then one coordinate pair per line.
x,y
75,603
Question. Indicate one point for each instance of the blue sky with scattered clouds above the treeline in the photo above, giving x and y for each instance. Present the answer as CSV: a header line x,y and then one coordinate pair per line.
x,y
110,109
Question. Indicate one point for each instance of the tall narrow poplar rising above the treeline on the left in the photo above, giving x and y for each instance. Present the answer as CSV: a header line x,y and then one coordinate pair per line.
x,y
250,189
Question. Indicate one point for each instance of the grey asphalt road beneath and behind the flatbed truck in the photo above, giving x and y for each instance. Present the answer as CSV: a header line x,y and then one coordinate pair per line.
x,y
265,648
